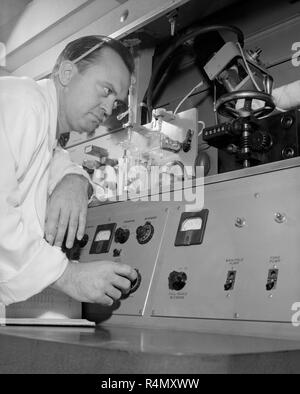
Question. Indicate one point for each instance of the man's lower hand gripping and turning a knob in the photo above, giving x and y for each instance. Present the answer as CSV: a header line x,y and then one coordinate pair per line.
x,y
98,282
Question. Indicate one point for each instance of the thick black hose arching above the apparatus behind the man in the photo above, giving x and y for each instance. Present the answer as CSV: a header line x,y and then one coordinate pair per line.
x,y
181,40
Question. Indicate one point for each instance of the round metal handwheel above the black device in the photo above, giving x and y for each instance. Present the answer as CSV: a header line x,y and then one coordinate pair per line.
x,y
227,104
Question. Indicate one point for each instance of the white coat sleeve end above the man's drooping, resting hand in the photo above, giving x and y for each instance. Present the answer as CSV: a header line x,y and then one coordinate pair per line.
x,y
62,165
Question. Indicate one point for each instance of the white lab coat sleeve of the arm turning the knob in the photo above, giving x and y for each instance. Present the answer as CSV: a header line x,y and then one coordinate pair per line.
x,y
28,264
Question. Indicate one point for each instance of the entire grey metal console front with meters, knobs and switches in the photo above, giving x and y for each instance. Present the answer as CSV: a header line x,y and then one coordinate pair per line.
x,y
243,267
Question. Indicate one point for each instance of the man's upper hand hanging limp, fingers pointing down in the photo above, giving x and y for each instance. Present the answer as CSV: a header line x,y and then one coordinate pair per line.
x,y
67,209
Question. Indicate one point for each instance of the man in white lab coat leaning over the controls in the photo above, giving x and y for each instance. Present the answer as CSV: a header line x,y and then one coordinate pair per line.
x,y
89,79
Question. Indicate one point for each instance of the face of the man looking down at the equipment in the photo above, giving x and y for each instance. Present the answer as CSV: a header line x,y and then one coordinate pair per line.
x,y
90,97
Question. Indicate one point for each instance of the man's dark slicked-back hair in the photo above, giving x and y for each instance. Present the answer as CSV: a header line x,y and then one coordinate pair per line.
x,y
85,52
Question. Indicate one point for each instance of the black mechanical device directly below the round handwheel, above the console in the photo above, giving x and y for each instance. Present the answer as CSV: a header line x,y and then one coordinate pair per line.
x,y
259,141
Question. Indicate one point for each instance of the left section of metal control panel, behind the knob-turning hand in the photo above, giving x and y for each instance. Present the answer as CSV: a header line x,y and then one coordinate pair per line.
x,y
132,236
